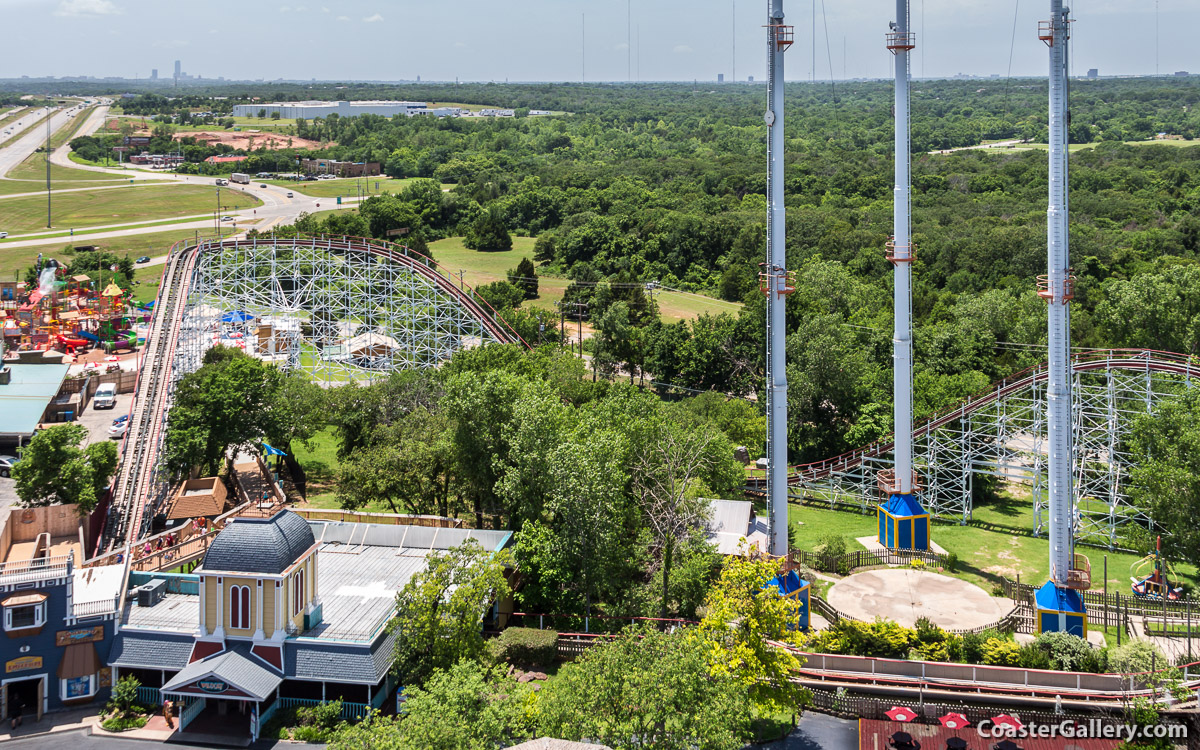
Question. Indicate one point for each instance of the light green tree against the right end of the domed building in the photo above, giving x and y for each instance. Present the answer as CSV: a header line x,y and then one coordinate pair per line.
x,y
440,611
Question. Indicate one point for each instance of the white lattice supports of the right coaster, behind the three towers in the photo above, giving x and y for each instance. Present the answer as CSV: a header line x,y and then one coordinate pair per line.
x,y
1003,434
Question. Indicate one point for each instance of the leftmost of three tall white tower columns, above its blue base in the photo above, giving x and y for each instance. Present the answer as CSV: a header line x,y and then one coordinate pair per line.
x,y
776,283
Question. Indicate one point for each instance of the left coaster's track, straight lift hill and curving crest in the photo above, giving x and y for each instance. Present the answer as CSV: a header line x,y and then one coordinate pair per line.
x,y
140,489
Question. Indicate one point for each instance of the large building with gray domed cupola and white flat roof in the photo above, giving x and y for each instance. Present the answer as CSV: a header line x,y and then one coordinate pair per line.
x,y
283,613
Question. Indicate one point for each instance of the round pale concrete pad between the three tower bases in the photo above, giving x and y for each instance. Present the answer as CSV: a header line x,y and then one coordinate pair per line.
x,y
905,596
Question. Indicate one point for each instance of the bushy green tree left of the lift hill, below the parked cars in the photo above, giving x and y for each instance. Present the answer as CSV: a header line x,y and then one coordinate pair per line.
x,y
56,471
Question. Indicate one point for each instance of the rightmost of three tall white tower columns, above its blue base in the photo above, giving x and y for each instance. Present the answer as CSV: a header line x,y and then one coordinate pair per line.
x,y
1057,290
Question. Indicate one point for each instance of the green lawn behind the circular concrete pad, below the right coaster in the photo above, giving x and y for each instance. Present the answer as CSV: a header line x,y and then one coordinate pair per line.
x,y
998,543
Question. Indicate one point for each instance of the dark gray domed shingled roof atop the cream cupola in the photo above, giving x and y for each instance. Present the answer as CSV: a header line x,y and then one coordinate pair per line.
x,y
260,545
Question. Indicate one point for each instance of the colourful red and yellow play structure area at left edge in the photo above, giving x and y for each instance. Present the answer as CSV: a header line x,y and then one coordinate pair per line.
x,y
73,314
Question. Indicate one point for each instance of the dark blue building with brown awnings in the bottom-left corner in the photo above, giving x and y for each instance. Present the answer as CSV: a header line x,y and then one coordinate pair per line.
x,y
59,615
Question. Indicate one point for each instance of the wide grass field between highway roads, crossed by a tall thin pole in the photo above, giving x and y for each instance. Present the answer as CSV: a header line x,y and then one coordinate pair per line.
x,y
113,207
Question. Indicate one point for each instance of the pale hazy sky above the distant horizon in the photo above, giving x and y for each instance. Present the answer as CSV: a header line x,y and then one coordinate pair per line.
x,y
541,40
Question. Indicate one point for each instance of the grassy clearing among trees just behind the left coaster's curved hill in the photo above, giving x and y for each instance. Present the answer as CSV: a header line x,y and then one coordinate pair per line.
x,y
482,268
